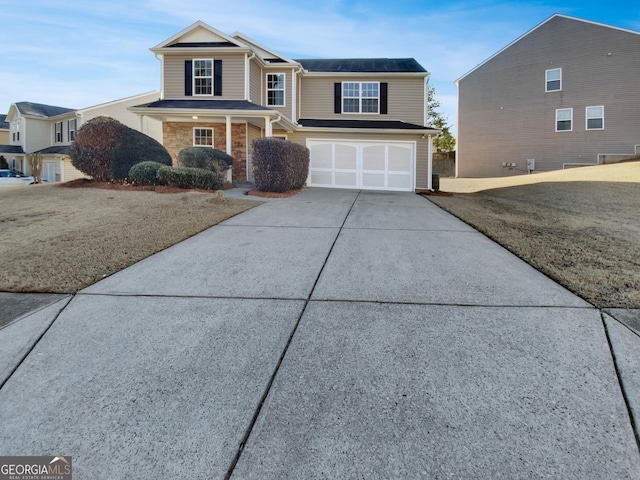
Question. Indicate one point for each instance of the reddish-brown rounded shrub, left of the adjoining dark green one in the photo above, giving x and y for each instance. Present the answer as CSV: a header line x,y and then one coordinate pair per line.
x,y
91,150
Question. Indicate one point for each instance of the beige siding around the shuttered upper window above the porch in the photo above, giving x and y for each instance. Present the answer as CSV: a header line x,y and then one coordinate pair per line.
x,y
232,75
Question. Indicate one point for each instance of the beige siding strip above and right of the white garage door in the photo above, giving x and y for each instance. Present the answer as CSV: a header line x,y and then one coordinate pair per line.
x,y
422,146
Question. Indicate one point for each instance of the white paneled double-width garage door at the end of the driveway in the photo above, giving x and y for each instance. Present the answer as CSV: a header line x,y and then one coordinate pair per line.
x,y
362,165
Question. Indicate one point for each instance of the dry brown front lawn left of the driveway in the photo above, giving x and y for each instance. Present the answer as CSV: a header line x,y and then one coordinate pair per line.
x,y
59,239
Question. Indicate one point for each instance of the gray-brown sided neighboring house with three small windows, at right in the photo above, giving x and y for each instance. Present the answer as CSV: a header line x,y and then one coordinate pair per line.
x,y
566,93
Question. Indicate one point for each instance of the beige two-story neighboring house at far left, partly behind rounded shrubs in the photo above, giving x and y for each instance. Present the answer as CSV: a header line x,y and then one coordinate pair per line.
x,y
50,130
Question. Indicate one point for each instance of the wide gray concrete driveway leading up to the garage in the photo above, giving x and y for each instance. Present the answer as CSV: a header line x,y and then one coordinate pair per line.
x,y
334,334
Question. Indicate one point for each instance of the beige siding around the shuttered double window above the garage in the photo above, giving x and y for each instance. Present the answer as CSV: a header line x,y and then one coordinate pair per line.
x,y
405,98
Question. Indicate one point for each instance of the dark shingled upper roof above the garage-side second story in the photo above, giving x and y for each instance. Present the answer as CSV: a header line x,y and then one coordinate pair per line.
x,y
363,65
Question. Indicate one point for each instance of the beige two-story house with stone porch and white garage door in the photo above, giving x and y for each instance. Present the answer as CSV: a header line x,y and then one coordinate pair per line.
x,y
362,119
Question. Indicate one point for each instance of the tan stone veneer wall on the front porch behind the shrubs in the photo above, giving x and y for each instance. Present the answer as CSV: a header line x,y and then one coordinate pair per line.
x,y
179,135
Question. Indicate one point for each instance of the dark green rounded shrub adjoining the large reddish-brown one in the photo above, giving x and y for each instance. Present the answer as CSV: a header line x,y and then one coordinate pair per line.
x,y
134,147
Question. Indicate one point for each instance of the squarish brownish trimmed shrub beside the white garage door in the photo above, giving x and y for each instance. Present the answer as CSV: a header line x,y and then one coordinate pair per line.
x,y
279,165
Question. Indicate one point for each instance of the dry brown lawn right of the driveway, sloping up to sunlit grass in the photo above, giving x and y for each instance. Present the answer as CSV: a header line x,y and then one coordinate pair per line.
x,y
581,227
